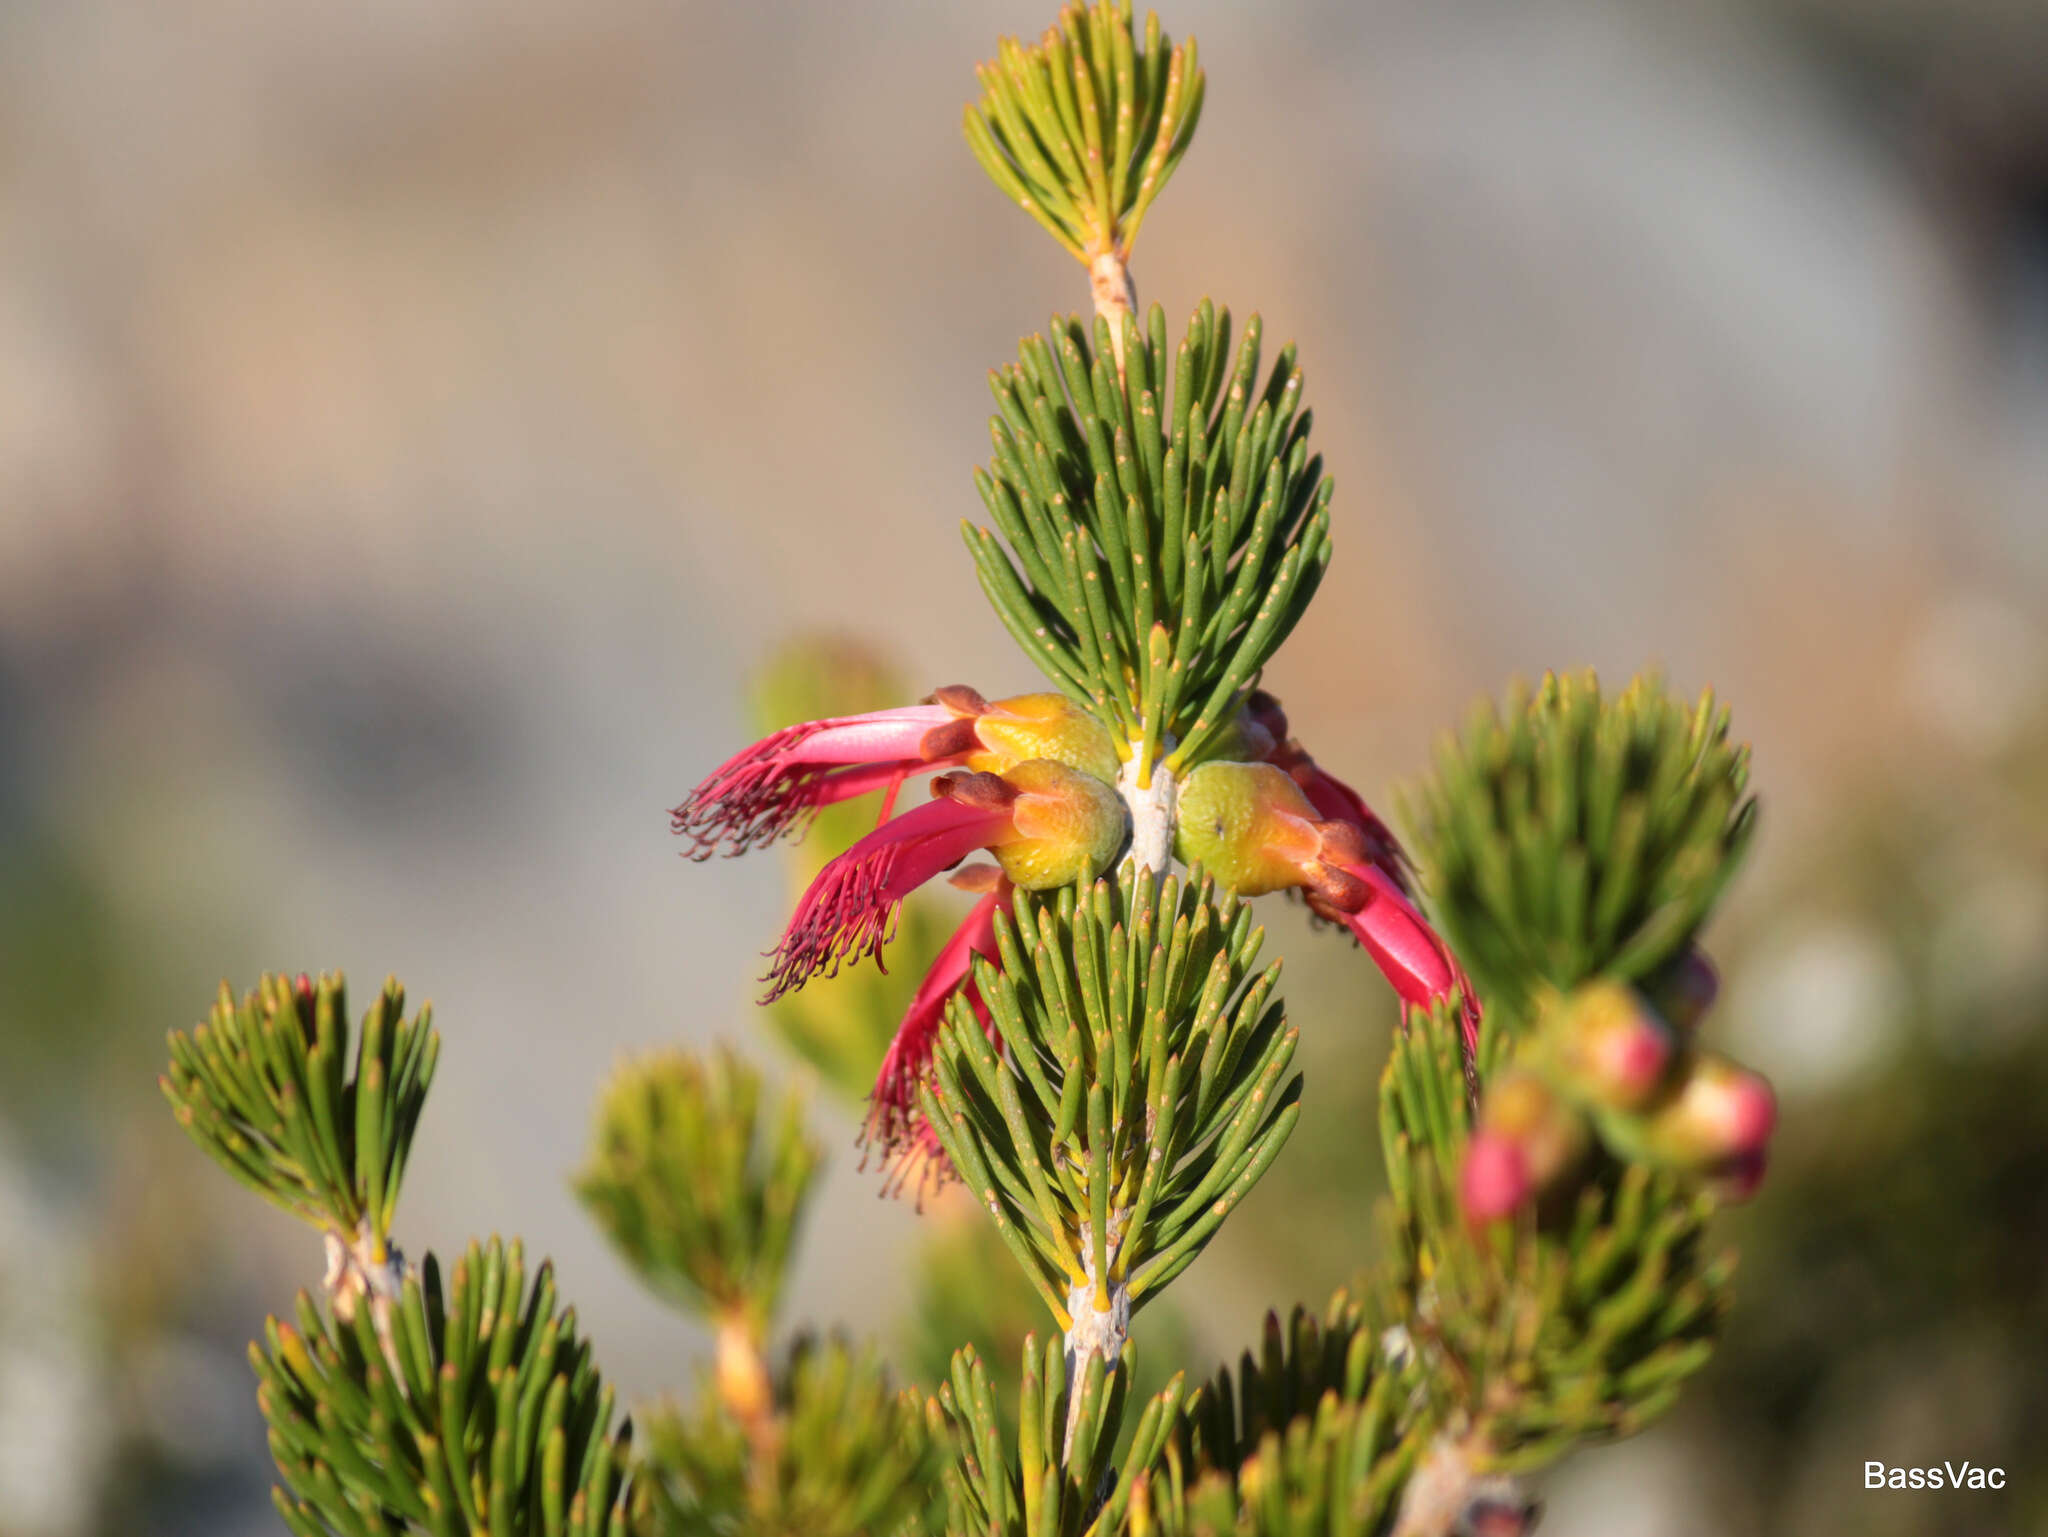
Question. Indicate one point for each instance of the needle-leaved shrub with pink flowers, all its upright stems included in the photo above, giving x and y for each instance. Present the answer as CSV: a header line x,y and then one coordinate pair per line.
x,y
1101,1052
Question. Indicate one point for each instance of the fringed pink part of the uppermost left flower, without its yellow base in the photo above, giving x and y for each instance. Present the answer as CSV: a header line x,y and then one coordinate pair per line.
x,y
783,780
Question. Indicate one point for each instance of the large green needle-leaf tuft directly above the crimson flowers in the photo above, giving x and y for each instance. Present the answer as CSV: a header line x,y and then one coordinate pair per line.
x,y
1160,528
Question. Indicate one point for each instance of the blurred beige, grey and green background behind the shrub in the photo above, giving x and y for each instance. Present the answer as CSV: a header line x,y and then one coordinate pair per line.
x,y
421,421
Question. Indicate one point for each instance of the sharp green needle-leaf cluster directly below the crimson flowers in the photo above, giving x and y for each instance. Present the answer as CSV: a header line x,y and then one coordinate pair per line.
x,y
1127,1091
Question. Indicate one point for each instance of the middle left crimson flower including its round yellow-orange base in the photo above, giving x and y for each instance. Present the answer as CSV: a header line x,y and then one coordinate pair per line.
x,y
1046,823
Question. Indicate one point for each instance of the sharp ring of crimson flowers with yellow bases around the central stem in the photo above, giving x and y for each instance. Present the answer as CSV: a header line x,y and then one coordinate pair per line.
x,y
1031,780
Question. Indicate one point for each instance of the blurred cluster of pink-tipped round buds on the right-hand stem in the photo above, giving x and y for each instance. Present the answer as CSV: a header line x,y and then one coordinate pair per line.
x,y
1605,1067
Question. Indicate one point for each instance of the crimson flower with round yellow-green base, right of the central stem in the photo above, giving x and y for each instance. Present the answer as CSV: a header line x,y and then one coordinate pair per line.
x,y
1256,831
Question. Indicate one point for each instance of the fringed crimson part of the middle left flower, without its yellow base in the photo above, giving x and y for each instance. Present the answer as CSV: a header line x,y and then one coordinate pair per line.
x,y
853,905
